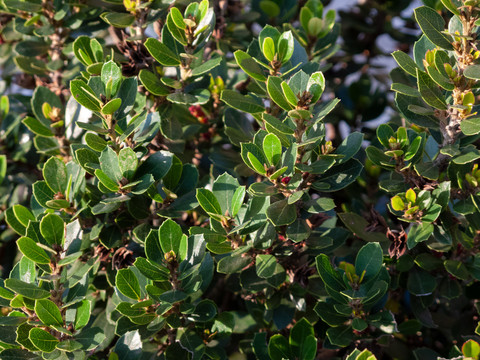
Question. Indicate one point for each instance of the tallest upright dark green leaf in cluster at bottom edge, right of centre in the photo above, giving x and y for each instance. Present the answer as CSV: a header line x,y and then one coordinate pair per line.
x,y
300,341
